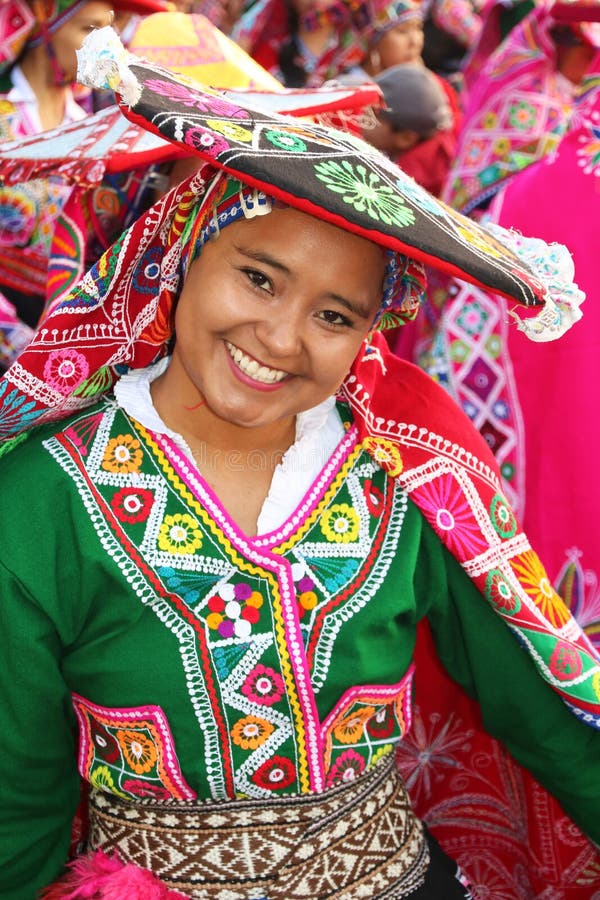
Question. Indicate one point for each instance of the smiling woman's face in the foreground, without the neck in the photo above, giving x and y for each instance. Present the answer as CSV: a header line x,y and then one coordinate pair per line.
x,y
271,317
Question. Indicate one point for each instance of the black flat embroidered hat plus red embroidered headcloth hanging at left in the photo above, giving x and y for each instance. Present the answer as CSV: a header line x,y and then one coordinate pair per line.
x,y
119,315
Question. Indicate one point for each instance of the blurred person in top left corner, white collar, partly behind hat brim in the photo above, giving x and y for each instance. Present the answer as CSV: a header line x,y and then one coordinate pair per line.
x,y
38,67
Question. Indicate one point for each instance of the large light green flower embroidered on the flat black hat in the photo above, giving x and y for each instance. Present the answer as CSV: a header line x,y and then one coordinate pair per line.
x,y
366,192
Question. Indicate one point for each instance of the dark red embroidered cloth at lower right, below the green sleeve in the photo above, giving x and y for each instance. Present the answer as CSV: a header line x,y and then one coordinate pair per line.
x,y
490,815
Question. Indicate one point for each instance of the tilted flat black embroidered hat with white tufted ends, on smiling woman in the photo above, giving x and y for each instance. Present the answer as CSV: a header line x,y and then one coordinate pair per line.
x,y
334,176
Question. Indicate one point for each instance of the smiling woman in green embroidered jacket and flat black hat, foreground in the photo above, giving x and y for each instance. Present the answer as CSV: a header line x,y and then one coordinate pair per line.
x,y
255,505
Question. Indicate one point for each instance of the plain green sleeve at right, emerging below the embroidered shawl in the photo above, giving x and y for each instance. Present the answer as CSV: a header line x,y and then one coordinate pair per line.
x,y
518,706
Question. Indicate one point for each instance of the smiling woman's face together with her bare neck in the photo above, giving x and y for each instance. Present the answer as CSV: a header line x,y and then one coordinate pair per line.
x,y
279,342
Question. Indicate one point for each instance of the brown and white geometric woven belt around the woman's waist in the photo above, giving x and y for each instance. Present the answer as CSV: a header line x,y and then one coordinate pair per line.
x,y
358,839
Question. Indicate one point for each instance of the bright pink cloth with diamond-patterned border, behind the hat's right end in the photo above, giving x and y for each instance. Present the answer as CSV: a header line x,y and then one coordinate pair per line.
x,y
473,351
